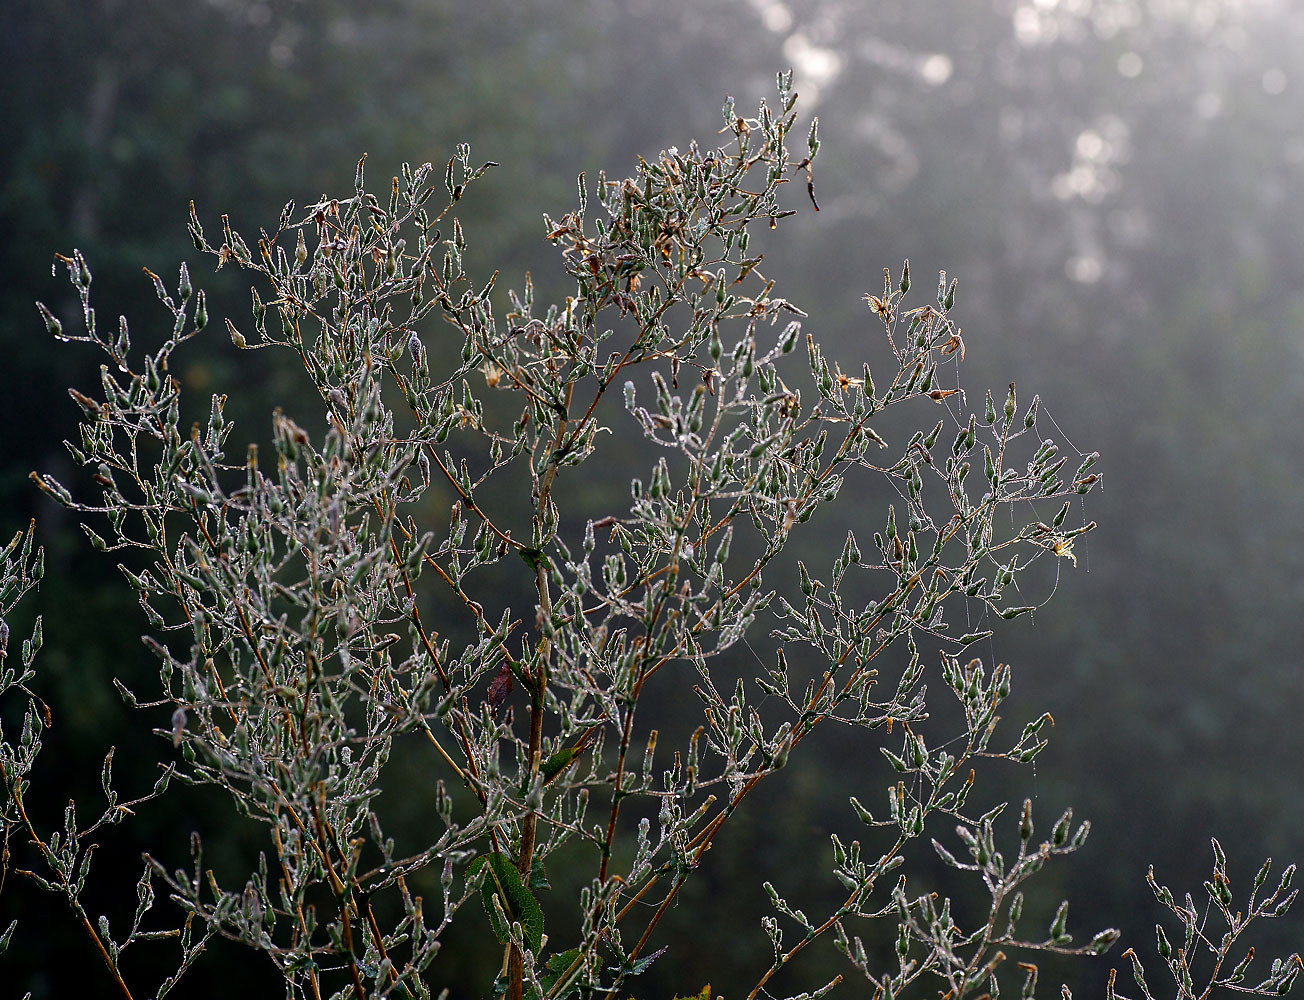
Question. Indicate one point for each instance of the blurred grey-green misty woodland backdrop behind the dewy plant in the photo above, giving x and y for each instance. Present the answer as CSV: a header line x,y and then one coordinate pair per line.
x,y
1117,186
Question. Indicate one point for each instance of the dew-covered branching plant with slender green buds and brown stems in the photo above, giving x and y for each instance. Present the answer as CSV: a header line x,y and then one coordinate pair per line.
x,y
314,603
